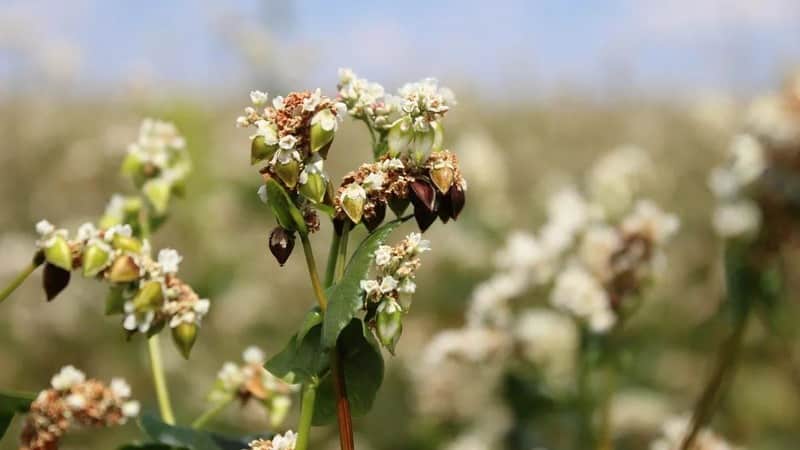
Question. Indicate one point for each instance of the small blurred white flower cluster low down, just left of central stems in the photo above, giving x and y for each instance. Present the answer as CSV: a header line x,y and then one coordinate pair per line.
x,y
251,381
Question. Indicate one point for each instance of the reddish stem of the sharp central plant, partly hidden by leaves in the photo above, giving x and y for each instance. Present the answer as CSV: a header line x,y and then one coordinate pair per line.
x,y
342,404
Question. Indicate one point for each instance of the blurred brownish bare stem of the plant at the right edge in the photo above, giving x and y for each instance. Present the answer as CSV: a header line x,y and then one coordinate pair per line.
x,y
725,365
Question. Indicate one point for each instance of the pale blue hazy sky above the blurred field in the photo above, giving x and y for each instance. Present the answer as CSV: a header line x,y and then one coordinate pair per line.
x,y
537,45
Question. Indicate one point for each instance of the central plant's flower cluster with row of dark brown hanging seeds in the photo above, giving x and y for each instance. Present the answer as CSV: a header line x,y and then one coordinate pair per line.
x,y
436,189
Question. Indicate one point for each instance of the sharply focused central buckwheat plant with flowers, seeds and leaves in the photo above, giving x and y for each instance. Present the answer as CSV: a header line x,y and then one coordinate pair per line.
x,y
363,296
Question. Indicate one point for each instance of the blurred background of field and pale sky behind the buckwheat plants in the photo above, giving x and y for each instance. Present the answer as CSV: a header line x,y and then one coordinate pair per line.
x,y
544,88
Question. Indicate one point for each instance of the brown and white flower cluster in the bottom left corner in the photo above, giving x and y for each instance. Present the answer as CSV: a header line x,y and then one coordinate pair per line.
x,y
75,401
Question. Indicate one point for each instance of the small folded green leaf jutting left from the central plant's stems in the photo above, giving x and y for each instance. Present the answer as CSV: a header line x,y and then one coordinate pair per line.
x,y
305,358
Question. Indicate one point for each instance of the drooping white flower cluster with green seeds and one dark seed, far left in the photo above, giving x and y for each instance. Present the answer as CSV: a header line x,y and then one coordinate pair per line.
x,y
146,290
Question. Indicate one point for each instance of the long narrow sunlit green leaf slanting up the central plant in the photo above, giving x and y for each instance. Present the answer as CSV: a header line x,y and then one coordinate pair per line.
x,y
344,301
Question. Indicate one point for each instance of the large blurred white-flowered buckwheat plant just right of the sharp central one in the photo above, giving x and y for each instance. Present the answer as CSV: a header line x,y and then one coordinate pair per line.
x,y
548,321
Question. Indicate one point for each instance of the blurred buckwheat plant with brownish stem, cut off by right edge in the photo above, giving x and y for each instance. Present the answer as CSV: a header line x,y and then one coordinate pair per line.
x,y
757,218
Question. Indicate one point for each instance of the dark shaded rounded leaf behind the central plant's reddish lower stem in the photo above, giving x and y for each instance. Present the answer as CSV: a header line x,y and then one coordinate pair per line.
x,y
362,365
